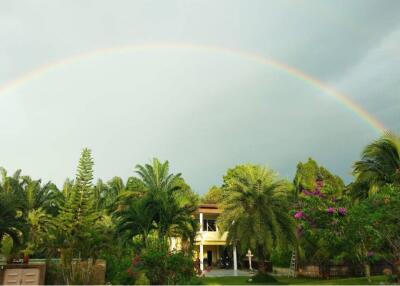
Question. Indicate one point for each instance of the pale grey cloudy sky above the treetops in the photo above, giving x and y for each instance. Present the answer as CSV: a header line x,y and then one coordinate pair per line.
x,y
203,109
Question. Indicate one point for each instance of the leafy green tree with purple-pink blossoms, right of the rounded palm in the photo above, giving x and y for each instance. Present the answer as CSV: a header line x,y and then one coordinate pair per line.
x,y
320,212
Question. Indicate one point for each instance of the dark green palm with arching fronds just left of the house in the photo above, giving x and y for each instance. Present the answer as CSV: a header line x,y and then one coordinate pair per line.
x,y
165,206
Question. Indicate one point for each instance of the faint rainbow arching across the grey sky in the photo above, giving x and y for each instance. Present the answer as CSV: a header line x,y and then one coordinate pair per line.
x,y
328,90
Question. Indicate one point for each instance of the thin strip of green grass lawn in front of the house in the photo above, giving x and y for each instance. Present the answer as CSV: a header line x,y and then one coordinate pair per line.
x,y
281,280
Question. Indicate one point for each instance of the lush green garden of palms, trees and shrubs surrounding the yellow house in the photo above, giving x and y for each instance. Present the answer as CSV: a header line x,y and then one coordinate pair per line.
x,y
315,219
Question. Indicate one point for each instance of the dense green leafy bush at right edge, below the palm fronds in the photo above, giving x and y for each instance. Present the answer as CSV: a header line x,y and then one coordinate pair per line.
x,y
373,228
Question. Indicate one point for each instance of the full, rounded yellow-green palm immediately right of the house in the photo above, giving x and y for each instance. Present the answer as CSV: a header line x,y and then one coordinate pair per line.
x,y
255,211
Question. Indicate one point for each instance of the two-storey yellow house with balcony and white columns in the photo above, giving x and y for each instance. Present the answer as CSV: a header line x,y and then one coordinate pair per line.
x,y
210,243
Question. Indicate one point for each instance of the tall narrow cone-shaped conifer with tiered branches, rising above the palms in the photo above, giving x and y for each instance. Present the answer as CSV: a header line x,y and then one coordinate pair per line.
x,y
77,229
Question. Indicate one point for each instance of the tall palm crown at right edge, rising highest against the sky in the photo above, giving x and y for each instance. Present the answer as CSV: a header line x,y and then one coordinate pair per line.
x,y
379,164
